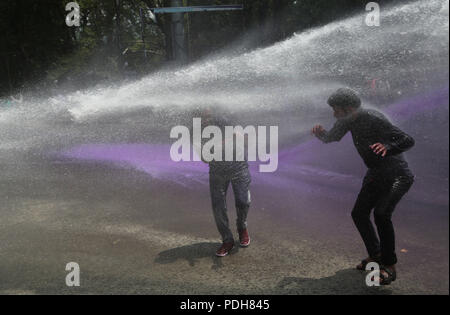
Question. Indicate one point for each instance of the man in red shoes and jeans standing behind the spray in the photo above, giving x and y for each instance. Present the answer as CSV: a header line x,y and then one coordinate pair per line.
x,y
221,175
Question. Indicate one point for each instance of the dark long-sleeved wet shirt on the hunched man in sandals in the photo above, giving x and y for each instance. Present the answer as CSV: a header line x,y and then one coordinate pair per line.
x,y
369,127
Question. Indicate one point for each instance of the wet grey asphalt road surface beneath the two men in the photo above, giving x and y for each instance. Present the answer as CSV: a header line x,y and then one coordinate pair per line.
x,y
131,234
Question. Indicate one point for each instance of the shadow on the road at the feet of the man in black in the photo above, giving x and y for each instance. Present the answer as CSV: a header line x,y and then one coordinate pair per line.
x,y
344,282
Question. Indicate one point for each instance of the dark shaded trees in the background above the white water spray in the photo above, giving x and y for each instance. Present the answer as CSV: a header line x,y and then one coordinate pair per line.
x,y
38,50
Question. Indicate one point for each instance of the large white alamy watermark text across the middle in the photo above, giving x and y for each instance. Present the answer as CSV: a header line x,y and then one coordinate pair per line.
x,y
223,147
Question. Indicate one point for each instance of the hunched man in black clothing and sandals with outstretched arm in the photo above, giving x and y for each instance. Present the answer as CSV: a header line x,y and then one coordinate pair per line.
x,y
381,146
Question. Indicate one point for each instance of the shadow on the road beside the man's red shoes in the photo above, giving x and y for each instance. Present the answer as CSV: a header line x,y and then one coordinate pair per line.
x,y
192,253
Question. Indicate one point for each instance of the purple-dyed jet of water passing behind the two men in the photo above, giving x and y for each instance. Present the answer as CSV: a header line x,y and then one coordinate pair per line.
x,y
306,167
